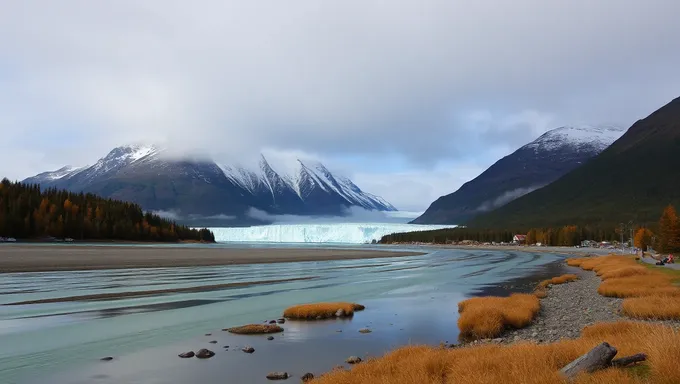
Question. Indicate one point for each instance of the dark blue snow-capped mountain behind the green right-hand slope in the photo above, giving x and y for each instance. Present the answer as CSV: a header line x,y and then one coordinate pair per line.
x,y
533,166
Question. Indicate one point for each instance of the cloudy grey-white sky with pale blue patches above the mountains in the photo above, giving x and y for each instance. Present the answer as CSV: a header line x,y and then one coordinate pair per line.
x,y
410,99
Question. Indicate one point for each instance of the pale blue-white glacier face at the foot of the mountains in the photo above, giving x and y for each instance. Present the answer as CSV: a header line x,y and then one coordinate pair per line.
x,y
340,233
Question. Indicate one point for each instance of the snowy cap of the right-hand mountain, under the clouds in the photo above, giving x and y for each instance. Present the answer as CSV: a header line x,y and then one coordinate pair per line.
x,y
587,136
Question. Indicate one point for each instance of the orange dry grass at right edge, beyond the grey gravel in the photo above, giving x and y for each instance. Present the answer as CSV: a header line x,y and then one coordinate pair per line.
x,y
649,291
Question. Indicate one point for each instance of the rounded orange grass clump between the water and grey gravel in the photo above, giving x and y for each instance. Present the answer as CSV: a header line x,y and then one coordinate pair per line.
x,y
485,317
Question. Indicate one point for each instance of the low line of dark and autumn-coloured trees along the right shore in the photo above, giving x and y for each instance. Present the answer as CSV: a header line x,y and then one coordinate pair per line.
x,y
668,239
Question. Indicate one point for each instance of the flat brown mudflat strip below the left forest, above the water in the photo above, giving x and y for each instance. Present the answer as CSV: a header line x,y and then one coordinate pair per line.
x,y
41,258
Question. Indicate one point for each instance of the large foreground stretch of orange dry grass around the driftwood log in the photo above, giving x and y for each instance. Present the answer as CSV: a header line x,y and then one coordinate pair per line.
x,y
523,363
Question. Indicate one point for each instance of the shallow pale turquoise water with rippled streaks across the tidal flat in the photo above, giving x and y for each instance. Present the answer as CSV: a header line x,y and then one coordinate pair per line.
x,y
408,299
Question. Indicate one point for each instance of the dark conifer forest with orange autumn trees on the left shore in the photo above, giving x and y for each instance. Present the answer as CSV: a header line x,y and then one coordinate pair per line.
x,y
27,212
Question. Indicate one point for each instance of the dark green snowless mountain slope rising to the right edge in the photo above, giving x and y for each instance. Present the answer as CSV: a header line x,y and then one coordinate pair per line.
x,y
633,179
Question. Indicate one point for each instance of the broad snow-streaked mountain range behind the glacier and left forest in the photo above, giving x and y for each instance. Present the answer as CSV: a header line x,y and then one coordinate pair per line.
x,y
204,191
